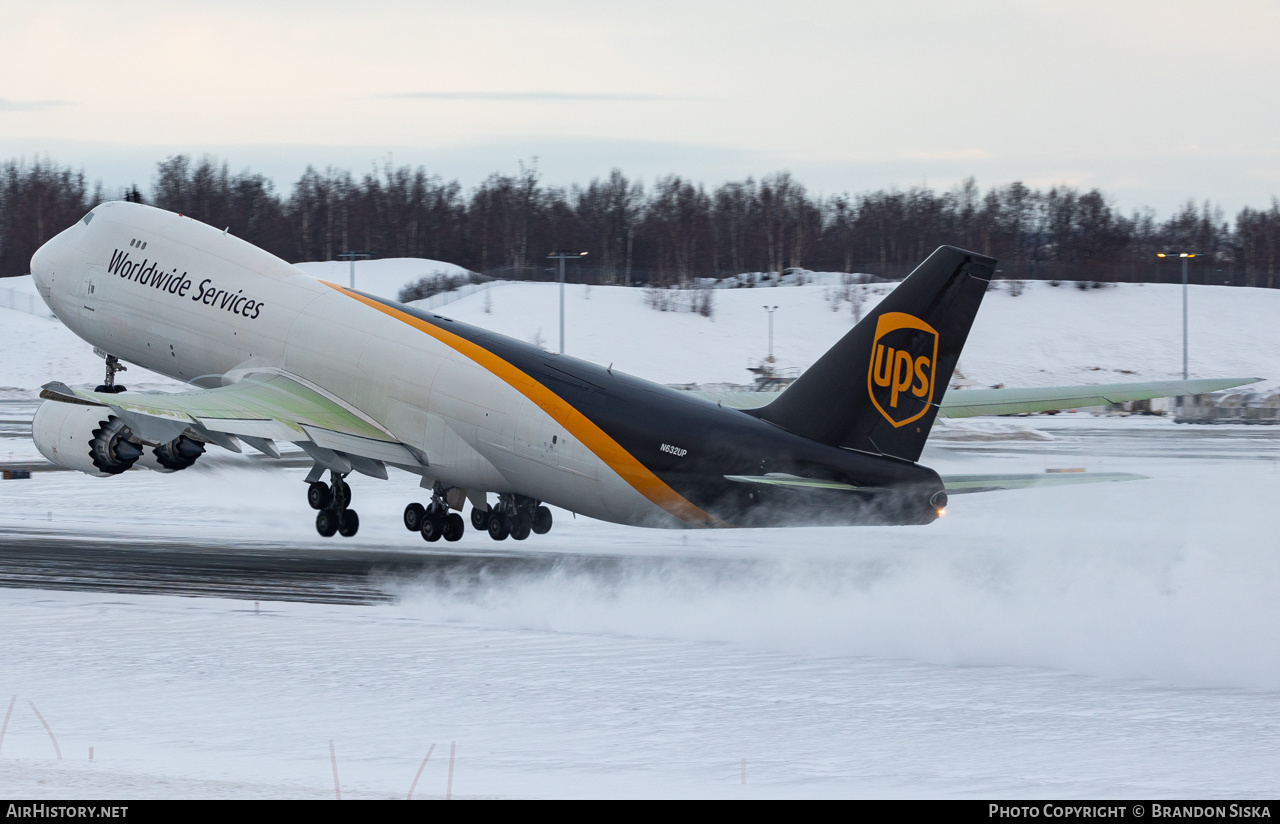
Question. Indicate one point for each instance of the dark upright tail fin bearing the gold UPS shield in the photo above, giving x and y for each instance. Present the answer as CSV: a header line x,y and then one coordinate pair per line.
x,y
879,390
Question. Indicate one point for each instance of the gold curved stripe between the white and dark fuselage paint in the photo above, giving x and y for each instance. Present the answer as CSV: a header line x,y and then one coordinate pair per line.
x,y
607,450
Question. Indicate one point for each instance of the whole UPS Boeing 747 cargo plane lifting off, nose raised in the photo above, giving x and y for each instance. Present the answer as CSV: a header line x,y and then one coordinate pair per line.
x,y
363,384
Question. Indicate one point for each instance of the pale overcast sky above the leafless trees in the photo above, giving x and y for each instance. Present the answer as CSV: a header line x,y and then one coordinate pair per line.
x,y
1151,102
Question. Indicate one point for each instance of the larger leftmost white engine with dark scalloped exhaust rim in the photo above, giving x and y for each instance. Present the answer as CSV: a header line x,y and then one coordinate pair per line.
x,y
89,440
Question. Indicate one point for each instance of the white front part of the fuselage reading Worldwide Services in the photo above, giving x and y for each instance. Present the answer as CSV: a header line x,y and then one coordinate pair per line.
x,y
199,305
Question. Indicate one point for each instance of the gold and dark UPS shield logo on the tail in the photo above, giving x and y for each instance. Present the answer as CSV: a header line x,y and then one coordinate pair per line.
x,y
900,374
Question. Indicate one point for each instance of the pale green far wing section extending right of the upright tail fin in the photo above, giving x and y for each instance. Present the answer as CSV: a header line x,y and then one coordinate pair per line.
x,y
971,402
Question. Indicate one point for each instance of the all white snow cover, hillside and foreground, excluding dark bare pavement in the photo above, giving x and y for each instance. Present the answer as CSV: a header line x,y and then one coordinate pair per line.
x,y
1103,640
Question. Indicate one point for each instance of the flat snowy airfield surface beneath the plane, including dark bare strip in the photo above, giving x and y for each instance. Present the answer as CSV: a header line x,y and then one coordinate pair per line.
x,y
1080,642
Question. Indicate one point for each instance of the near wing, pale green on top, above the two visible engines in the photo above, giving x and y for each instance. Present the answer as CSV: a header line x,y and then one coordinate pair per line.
x,y
260,410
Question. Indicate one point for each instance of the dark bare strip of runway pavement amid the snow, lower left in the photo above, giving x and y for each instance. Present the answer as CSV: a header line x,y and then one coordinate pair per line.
x,y
284,573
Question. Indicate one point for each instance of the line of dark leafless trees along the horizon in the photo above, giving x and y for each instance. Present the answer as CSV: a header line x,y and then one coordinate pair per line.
x,y
670,232
